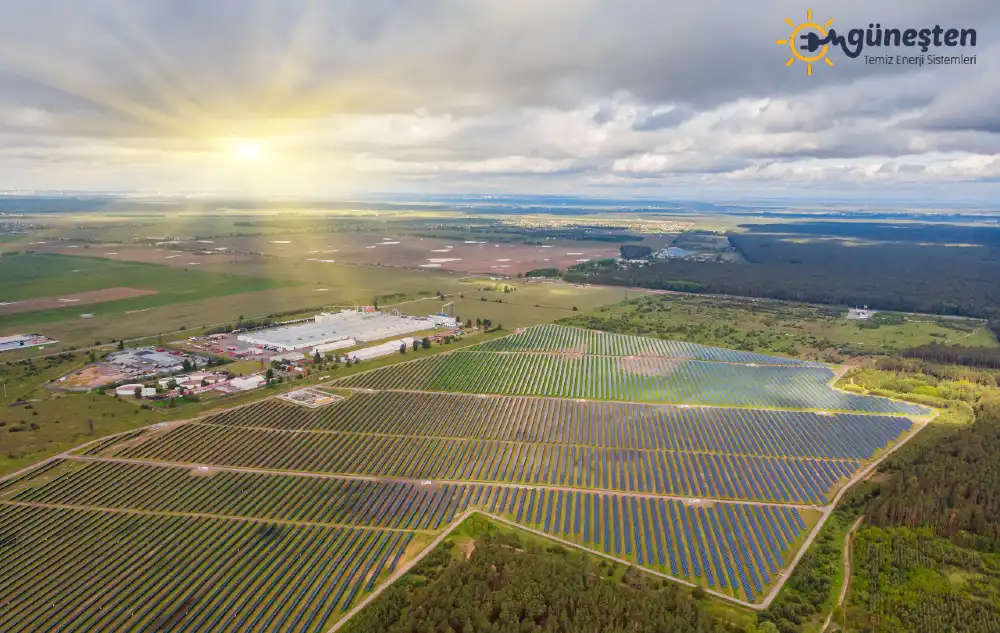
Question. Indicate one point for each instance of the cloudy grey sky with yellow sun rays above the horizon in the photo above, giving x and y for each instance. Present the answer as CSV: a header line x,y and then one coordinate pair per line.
x,y
626,97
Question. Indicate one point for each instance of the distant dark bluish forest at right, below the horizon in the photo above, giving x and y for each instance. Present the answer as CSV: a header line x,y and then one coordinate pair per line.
x,y
842,264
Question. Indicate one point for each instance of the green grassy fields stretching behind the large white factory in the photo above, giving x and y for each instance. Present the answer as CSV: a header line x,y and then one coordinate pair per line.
x,y
258,289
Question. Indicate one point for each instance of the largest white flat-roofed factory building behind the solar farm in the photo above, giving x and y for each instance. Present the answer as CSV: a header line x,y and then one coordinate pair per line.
x,y
360,325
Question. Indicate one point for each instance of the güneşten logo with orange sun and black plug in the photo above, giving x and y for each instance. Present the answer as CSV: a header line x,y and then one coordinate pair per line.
x,y
810,43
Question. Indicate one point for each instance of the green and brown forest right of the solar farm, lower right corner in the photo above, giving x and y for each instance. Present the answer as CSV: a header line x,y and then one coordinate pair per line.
x,y
928,558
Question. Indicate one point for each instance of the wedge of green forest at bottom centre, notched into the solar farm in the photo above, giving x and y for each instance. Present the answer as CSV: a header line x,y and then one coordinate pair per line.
x,y
510,584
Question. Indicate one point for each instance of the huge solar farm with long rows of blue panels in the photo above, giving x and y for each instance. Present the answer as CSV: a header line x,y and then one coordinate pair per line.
x,y
708,466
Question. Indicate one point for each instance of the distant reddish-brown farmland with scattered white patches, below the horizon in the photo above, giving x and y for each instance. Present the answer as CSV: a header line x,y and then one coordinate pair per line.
x,y
409,244
